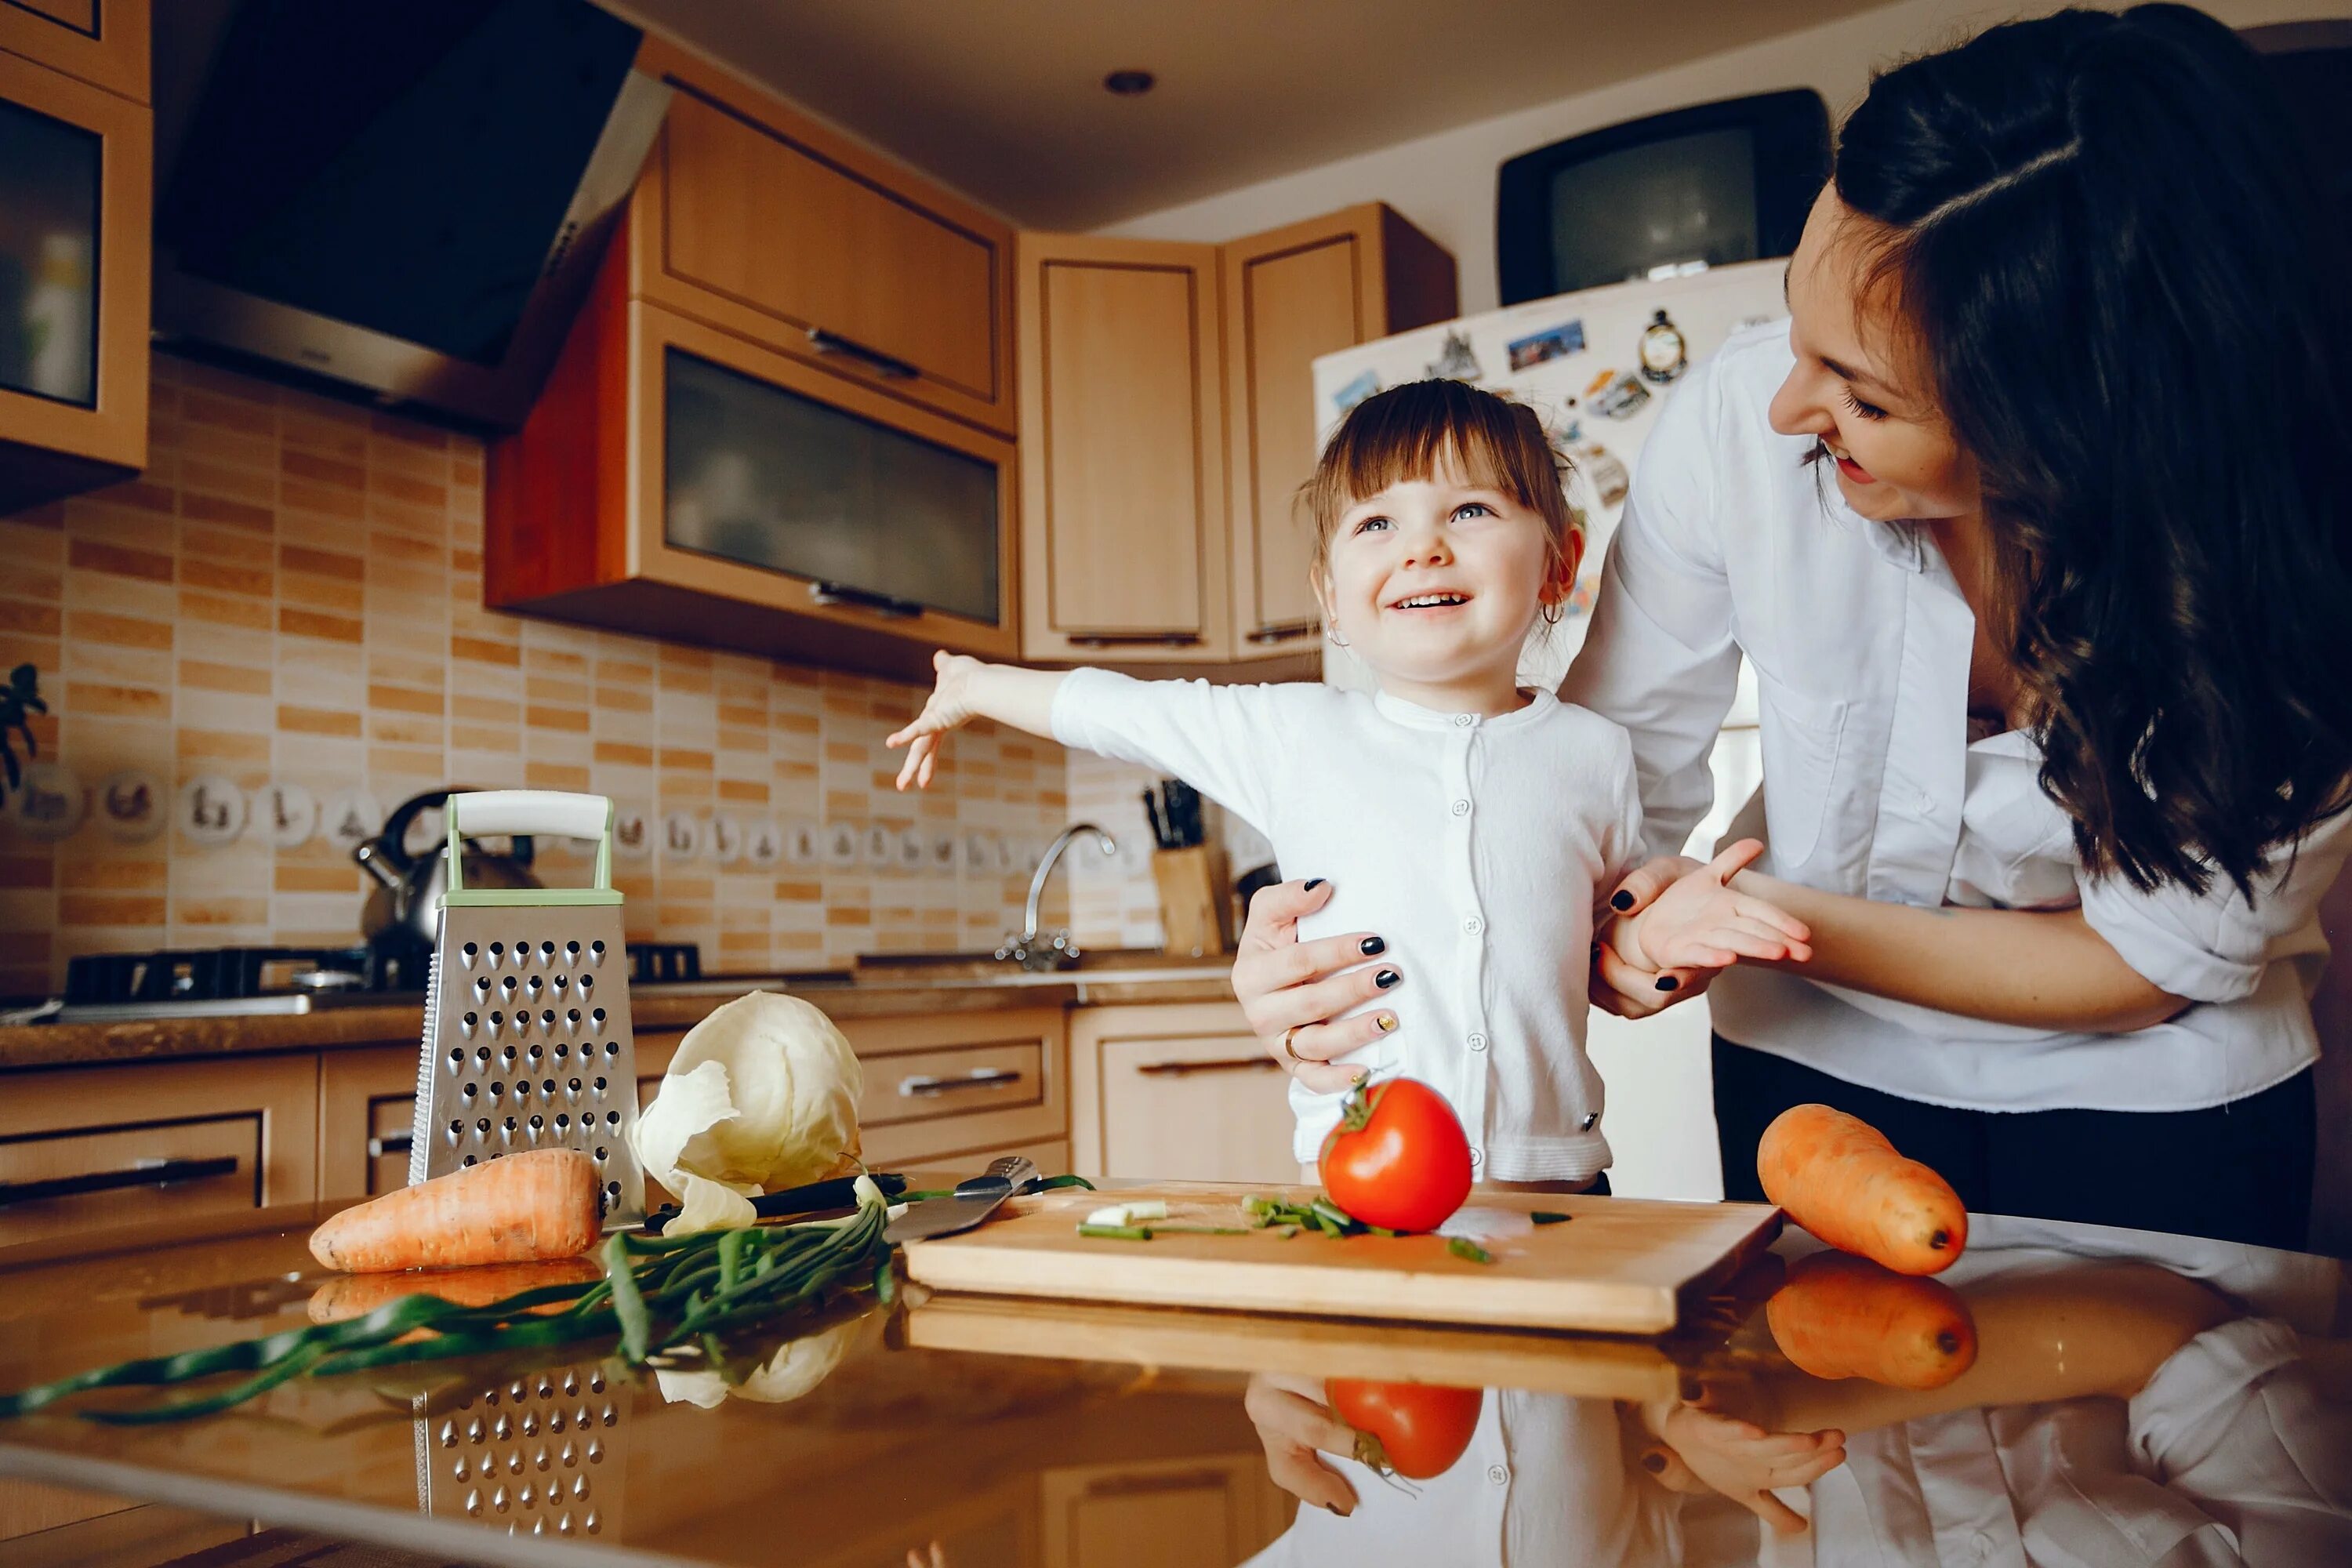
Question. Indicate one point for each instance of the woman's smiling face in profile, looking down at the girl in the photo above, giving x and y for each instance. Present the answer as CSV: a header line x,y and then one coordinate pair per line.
x,y
1855,387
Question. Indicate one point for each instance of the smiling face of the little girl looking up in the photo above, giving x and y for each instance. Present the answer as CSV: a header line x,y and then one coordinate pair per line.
x,y
1436,584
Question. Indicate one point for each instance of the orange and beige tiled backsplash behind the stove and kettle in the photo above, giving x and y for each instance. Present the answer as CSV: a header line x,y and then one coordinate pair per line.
x,y
293,598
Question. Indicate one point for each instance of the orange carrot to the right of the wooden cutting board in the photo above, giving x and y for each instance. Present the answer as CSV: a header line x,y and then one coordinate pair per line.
x,y
1843,1181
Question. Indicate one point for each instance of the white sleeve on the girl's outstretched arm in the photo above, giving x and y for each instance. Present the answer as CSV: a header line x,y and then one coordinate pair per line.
x,y
1224,742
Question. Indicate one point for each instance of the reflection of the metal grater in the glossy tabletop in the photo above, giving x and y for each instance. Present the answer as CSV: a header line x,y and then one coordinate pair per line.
x,y
537,1454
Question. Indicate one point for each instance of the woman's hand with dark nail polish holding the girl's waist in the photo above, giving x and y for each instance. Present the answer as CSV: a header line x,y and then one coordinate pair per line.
x,y
1290,986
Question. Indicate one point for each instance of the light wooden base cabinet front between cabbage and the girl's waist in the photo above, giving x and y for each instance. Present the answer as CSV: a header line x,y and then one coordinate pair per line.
x,y
1177,1094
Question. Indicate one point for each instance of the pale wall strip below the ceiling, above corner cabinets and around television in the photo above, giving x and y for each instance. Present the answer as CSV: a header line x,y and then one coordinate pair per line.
x,y
1445,182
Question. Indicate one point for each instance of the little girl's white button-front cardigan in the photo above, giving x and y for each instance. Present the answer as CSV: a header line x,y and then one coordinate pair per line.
x,y
1471,845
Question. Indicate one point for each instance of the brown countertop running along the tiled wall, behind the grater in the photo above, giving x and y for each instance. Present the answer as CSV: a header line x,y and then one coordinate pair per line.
x,y
890,991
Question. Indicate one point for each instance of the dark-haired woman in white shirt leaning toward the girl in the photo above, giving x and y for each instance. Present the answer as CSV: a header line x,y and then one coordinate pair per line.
x,y
2033,523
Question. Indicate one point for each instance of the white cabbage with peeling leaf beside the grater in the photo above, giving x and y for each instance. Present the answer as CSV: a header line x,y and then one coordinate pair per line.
x,y
763,1094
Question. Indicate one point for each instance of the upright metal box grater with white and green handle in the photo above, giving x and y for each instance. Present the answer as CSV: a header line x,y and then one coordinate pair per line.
x,y
528,1040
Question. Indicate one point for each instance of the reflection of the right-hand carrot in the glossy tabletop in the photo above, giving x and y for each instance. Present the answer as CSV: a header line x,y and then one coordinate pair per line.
x,y
1847,1318
